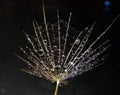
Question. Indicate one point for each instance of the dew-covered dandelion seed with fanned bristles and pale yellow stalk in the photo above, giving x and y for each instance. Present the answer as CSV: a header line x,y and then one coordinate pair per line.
x,y
52,53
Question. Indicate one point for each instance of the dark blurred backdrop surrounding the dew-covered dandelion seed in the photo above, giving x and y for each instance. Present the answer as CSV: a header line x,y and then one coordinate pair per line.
x,y
16,16
